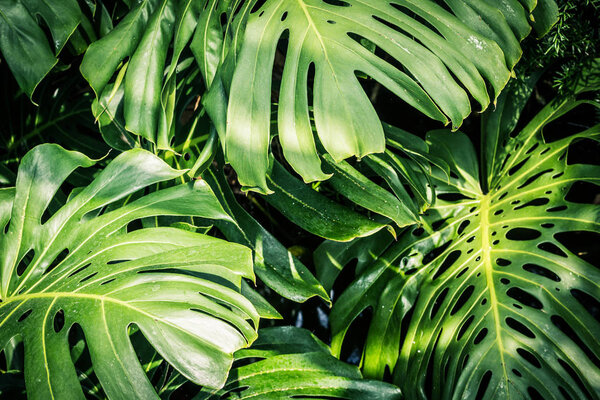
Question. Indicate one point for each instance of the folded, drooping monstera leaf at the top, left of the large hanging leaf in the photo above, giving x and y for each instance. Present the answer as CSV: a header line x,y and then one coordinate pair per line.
x,y
144,53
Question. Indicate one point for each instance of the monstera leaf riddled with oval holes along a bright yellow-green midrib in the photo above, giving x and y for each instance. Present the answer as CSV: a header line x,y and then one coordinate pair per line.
x,y
495,299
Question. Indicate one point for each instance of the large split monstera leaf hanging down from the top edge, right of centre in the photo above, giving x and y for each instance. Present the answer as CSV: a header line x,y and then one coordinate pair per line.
x,y
407,46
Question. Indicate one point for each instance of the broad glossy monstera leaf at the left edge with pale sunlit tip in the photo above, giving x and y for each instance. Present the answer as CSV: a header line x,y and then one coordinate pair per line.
x,y
86,265
